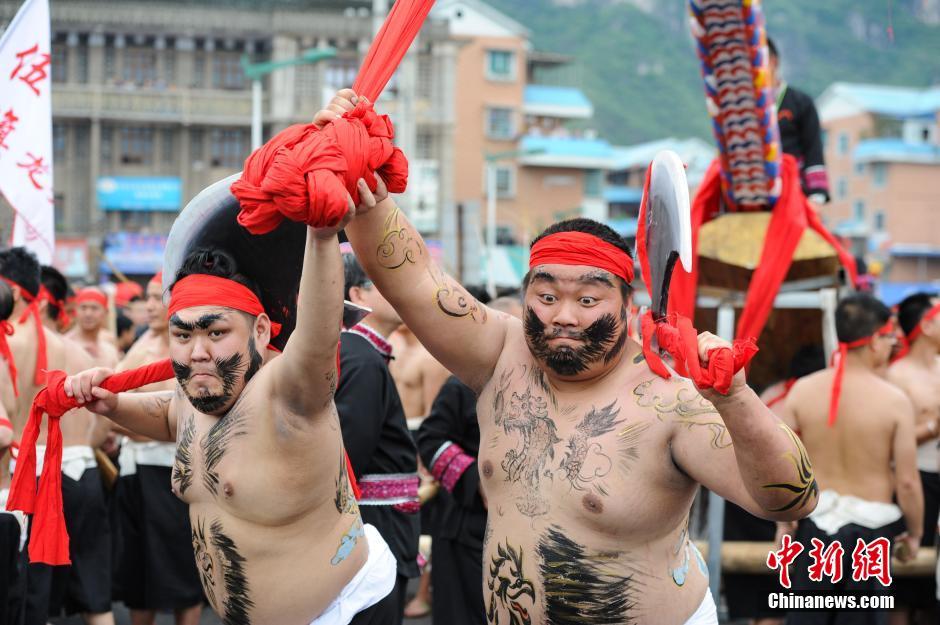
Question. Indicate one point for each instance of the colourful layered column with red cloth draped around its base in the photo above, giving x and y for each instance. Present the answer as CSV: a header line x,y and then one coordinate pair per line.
x,y
750,172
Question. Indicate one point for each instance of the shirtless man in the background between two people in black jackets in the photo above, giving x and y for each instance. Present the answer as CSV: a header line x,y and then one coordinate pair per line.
x,y
417,375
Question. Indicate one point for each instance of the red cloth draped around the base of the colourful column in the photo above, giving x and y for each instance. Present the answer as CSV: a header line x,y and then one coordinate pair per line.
x,y
791,215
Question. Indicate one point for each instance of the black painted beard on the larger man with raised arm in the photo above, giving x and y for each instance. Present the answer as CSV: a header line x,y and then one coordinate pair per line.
x,y
600,341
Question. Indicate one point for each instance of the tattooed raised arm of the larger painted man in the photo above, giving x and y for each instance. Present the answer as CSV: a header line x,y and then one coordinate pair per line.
x,y
462,334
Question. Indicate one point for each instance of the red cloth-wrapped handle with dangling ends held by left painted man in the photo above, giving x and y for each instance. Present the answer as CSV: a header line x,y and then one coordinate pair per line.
x,y
49,541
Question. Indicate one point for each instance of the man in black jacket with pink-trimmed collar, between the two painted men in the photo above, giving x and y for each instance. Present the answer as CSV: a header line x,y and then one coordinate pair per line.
x,y
375,433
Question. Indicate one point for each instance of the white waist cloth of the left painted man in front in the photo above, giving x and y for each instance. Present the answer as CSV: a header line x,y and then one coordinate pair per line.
x,y
371,584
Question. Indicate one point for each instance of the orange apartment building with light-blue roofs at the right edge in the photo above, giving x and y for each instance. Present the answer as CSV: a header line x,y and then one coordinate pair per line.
x,y
882,147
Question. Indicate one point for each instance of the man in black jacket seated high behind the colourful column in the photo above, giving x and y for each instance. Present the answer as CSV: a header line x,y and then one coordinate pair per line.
x,y
800,134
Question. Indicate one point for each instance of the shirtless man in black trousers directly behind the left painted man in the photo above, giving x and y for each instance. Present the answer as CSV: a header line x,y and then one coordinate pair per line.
x,y
154,569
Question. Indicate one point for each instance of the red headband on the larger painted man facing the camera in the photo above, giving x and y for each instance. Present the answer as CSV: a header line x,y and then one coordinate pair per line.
x,y
581,248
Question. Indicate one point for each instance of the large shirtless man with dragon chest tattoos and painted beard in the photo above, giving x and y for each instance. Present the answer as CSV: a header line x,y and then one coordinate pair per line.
x,y
589,461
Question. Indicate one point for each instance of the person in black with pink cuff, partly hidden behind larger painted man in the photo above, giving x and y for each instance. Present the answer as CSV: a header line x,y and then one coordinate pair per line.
x,y
449,441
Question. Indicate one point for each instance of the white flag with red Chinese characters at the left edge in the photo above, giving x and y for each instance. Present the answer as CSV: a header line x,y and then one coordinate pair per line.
x,y
26,128
